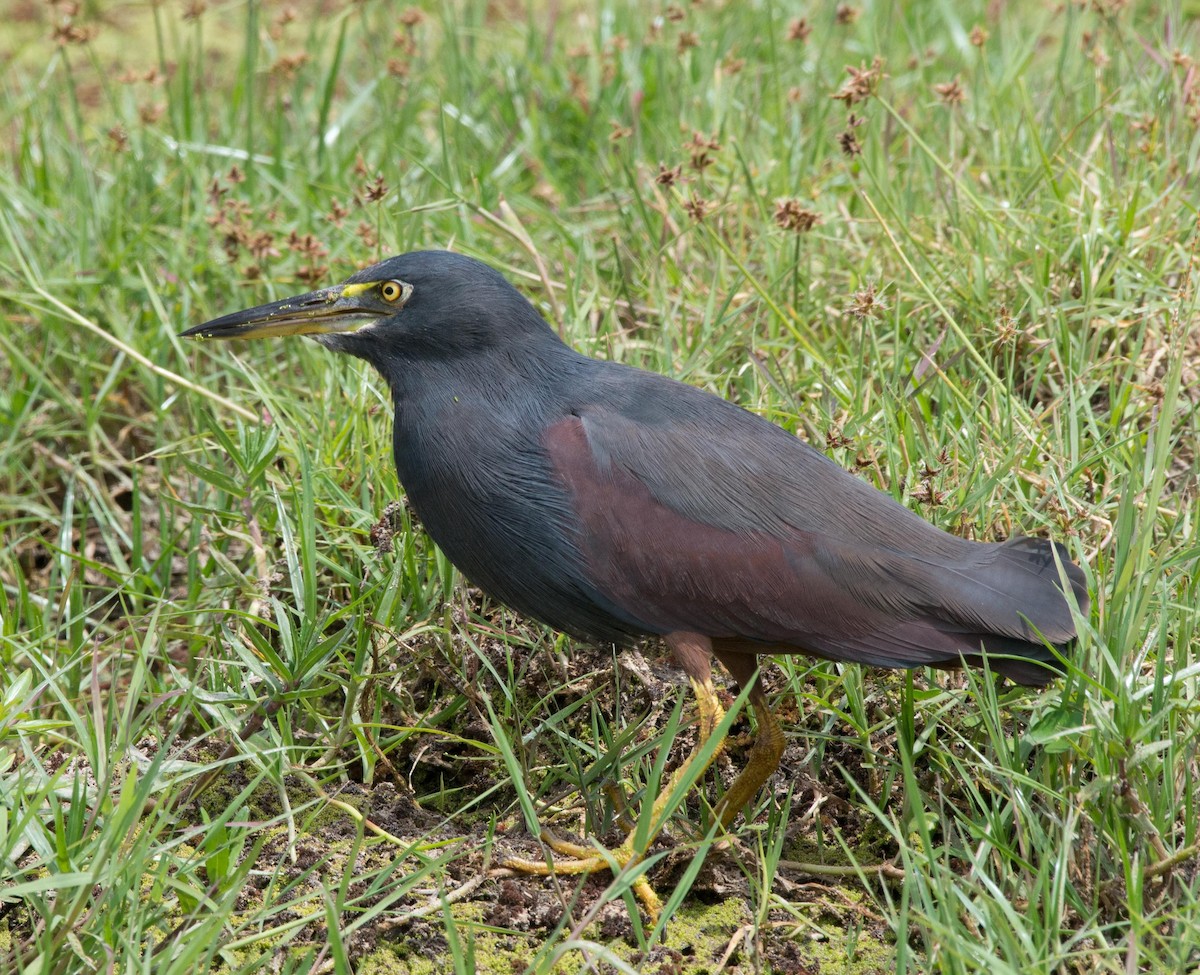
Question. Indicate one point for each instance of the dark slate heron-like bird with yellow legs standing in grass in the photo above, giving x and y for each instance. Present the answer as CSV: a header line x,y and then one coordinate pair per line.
x,y
615,504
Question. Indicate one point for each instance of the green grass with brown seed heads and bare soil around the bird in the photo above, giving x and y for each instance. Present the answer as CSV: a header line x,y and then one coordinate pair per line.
x,y
250,715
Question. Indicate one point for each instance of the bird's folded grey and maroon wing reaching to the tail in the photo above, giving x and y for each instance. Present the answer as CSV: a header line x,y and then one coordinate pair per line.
x,y
721,523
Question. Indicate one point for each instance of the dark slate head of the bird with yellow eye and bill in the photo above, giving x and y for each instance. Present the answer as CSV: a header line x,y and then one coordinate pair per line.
x,y
419,306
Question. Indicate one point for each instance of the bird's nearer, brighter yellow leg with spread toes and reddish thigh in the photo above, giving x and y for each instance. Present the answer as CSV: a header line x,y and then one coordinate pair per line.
x,y
692,651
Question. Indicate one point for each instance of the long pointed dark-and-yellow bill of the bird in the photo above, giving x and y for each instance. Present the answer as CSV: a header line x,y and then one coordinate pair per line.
x,y
331,310
